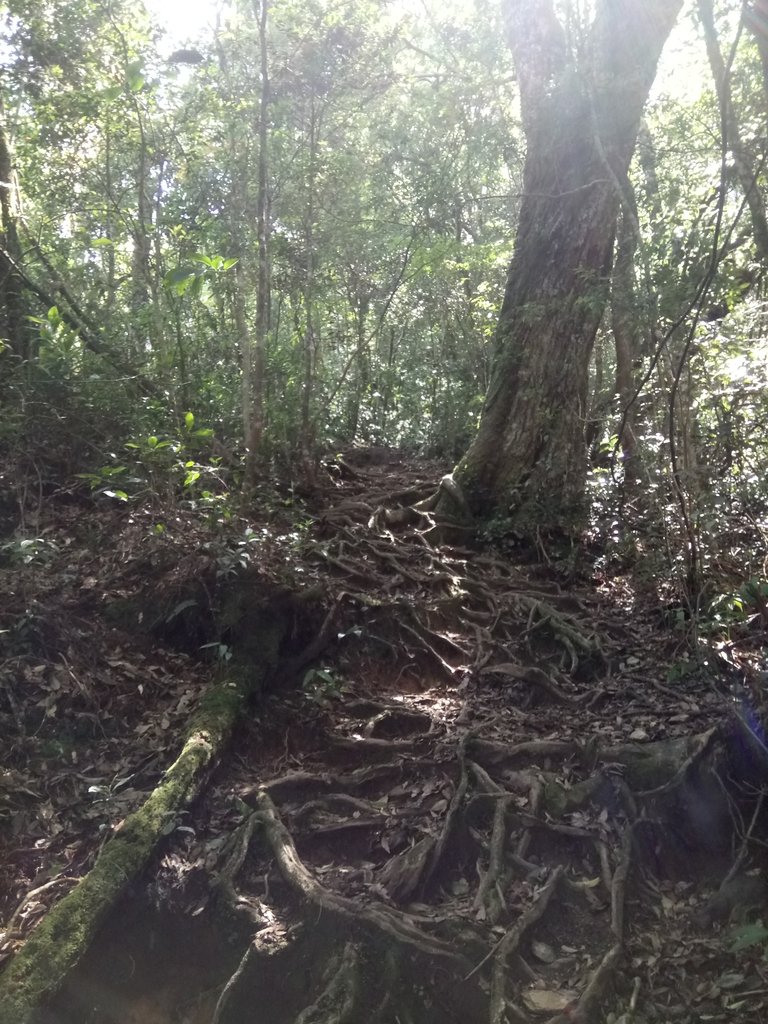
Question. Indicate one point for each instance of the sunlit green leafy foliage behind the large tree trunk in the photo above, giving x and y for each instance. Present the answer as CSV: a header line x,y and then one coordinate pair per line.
x,y
394,164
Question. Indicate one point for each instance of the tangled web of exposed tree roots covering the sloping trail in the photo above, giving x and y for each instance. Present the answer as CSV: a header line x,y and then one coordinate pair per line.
x,y
468,841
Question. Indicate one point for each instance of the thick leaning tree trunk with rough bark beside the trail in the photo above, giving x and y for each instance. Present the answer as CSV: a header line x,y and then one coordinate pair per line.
x,y
582,100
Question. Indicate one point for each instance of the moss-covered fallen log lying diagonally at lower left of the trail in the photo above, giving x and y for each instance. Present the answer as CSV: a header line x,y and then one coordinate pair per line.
x,y
62,938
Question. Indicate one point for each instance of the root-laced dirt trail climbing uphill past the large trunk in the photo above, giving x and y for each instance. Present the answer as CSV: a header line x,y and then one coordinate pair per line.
x,y
482,800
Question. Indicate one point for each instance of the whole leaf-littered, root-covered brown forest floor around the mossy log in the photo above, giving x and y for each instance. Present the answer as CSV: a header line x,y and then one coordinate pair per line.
x,y
484,787
